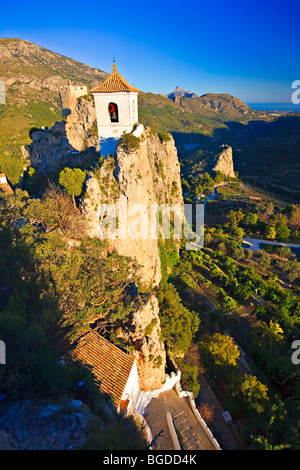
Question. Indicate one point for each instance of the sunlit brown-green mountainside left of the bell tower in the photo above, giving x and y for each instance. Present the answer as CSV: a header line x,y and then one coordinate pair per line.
x,y
33,75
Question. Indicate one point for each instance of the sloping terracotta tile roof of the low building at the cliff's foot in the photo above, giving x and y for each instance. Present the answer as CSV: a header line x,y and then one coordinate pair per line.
x,y
110,365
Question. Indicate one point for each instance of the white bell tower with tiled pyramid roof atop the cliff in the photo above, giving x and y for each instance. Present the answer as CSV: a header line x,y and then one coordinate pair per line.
x,y
116,105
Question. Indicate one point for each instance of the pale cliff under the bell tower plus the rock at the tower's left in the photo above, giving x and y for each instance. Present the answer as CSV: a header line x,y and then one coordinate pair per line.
x,y
143,178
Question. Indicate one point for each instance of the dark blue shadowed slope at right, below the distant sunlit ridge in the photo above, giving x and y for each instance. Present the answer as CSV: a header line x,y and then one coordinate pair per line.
x,y
266,153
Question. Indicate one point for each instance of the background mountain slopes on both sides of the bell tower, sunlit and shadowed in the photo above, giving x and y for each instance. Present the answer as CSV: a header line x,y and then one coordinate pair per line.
x,y
262,144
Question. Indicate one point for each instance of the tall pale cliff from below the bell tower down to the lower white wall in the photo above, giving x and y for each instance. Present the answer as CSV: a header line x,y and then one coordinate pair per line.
x,y
148,175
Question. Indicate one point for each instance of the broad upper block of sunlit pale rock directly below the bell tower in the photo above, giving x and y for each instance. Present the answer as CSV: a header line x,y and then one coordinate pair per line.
x,y
147,176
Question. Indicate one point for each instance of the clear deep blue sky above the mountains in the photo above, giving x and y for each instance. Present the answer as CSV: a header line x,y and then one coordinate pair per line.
x,y
248,49
